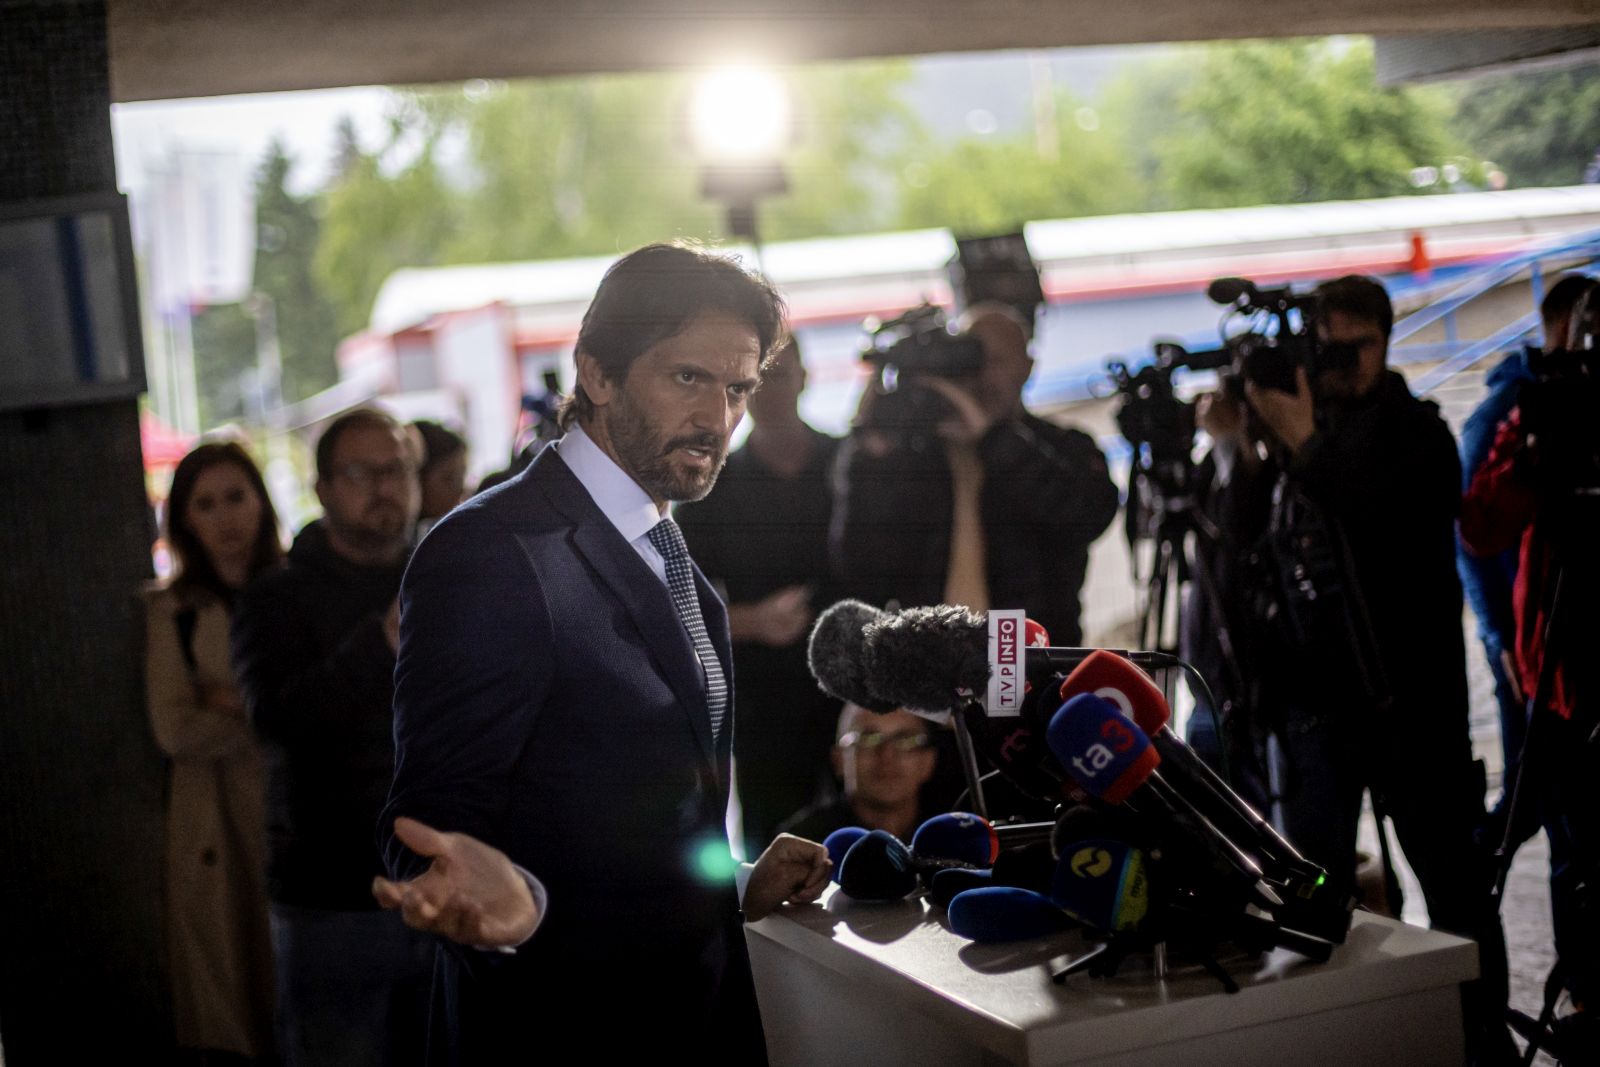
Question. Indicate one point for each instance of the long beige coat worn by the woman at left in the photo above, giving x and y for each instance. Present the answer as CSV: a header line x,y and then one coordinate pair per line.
x,y
217,900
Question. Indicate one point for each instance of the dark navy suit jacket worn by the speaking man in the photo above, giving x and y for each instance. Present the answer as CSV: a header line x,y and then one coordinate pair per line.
x,y
550,703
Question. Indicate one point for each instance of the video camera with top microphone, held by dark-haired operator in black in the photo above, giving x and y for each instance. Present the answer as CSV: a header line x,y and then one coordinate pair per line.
x,y
1282,337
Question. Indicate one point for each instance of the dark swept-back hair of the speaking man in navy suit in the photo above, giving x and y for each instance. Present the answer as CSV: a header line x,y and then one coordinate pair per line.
x,y
652,295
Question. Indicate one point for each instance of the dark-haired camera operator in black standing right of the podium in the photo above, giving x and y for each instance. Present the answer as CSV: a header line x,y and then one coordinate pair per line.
x,y
1364,647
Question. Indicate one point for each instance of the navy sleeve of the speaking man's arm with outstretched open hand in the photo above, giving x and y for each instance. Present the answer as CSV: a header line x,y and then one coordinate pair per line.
x,y
474,669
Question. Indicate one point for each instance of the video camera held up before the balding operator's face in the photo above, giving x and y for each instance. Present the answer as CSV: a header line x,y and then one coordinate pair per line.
x,y
911,350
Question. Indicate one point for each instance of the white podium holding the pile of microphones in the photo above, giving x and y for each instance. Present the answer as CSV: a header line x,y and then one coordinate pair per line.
x,y
886,985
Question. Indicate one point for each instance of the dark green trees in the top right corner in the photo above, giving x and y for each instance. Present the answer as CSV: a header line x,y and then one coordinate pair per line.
x,y
1540,127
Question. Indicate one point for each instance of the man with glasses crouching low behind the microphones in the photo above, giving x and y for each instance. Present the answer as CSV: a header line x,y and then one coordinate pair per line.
x,y
882,762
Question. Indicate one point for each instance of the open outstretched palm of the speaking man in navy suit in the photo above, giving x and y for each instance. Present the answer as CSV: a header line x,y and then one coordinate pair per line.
x,y
471,893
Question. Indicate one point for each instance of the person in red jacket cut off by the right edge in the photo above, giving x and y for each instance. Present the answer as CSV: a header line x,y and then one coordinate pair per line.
x,y
1540,489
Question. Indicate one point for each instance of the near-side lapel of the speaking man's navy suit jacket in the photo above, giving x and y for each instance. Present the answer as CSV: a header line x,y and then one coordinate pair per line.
x,y
631,580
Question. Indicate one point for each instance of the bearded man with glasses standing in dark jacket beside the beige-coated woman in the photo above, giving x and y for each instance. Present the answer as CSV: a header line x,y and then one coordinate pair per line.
x,y
314,649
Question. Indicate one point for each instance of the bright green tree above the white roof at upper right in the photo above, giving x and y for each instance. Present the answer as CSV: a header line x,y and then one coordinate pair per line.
x,y
1276,122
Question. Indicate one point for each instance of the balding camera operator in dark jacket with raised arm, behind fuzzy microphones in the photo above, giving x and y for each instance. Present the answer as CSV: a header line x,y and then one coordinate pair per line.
x,y
966,497
